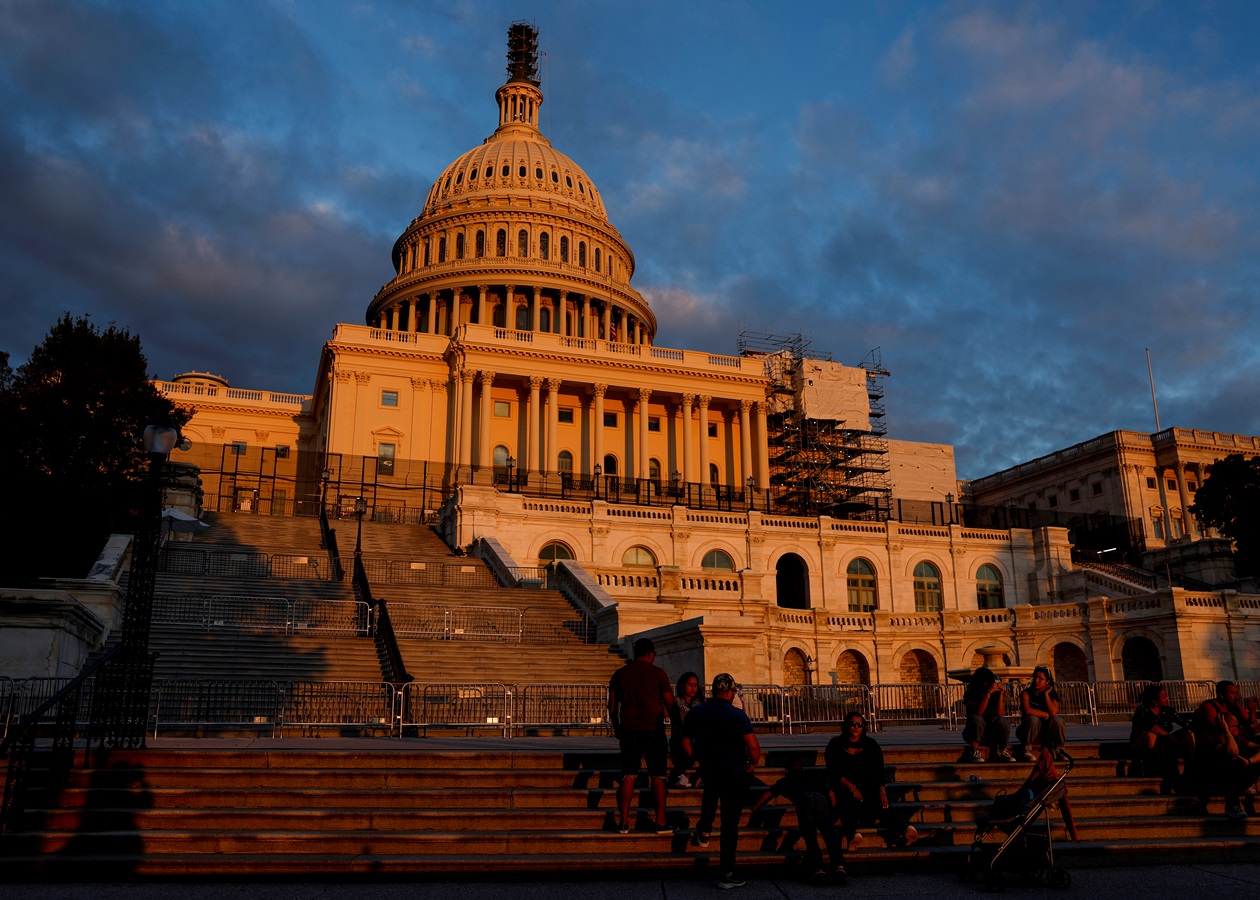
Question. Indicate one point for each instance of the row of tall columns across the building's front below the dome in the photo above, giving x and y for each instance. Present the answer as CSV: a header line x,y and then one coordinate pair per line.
x,y
687,447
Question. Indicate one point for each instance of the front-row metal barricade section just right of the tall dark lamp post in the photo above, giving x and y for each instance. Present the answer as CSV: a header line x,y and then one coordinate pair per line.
x,y
205,704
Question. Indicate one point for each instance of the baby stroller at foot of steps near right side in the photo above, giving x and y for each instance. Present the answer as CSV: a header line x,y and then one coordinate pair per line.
x,y
1029,849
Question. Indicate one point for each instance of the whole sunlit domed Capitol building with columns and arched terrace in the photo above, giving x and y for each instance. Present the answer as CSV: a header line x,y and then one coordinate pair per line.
x,y
749,512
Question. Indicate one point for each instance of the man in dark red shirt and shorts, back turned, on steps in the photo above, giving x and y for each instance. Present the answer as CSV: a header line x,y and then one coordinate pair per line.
x,y
639,695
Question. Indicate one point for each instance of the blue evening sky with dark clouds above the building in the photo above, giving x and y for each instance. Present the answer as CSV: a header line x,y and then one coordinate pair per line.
x,y
1012,201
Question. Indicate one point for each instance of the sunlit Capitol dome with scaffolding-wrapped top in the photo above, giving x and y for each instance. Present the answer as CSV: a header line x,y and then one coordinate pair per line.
x,y
515,235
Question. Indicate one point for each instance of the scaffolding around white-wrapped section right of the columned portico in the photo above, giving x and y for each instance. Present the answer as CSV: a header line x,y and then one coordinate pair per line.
x,y
826,429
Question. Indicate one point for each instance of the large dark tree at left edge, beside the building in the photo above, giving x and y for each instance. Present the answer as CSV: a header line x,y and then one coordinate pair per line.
x,y
74,419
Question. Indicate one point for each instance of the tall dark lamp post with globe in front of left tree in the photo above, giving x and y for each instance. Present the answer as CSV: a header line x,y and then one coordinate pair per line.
x,y
125,683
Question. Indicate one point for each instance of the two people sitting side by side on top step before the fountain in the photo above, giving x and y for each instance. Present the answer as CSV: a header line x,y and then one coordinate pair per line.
x,y
987,727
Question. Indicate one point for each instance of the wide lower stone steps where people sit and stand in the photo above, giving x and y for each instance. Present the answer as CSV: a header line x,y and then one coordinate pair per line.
x,y
396,809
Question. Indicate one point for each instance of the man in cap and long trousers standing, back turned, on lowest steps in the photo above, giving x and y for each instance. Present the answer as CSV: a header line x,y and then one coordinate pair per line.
x,y
724,742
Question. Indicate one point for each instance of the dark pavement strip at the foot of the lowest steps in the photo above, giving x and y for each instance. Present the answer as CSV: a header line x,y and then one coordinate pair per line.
x,y
1233,880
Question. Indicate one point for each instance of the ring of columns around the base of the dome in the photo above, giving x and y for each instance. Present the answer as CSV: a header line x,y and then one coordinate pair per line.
x,y
569,313
